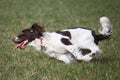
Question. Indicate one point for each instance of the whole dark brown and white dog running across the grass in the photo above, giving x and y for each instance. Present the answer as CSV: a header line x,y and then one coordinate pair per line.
x,y
65,45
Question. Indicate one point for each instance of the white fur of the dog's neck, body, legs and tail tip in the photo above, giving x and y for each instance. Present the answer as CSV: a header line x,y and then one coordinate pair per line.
x,y
80,39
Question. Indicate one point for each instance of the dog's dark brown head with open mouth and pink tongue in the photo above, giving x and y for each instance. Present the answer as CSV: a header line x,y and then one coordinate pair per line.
x,y
28,35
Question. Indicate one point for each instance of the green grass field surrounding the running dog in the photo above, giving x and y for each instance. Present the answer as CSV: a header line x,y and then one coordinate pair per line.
x,y
28,64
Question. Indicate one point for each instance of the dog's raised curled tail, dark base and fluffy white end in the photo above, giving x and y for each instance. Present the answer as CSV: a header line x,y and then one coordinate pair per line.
x,y
105,29
